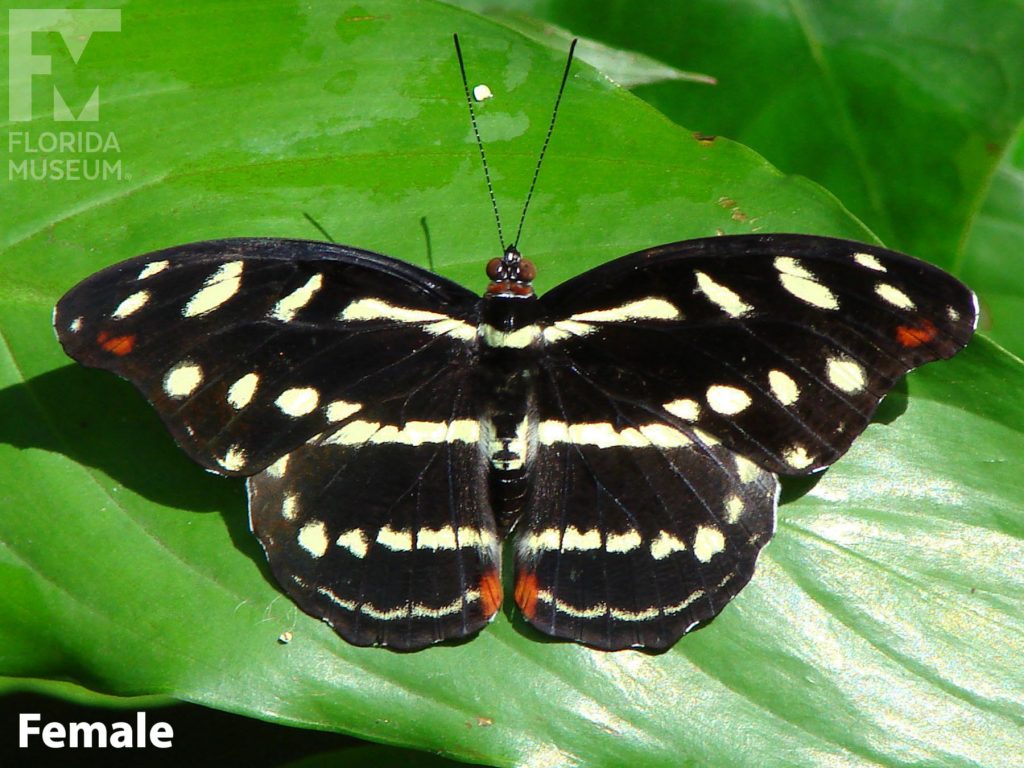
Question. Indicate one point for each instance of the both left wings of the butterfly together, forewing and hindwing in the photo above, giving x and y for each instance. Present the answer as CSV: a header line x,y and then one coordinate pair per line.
x,y
343,381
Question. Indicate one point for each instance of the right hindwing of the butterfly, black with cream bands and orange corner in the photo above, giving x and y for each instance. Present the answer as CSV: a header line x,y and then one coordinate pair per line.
x,y
635,531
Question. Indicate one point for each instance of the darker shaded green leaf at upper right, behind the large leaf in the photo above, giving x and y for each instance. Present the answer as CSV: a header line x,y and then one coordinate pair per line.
x,y
902,111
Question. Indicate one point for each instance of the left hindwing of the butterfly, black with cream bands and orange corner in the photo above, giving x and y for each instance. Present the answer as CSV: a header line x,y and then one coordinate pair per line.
x,y
386,530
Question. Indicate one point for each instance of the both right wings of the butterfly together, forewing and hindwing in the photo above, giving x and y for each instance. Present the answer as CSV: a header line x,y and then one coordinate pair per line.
x,y
675,382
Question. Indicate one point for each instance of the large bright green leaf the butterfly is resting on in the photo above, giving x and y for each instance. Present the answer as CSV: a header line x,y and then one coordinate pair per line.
x,y
884,624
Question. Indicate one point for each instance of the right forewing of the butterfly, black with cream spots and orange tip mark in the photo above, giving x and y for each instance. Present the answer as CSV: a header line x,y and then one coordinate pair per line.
x,y
782,347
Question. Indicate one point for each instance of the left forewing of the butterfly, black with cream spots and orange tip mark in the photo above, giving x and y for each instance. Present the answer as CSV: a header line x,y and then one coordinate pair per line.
x,y
238,344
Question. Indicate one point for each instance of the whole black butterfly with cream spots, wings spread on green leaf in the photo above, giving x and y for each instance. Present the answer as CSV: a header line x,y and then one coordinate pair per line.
x,y
624,432
